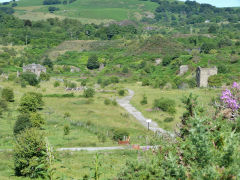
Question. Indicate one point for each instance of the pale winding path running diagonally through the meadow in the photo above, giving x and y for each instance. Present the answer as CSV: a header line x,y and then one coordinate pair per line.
x,y
125,103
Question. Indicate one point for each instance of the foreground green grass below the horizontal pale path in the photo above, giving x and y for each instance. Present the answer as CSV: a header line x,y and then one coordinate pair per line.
x,y
75,165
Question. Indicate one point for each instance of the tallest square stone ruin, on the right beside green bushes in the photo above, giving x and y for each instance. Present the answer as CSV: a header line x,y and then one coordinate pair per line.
x,y
202,75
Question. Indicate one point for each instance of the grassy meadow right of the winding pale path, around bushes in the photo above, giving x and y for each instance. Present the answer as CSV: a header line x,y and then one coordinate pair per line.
x,y
204,97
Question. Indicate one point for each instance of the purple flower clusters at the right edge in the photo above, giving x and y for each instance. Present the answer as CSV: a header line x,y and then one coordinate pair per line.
x,y
230,97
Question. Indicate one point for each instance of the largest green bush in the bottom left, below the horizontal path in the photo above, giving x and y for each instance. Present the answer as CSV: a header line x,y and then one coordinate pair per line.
x,y
30,154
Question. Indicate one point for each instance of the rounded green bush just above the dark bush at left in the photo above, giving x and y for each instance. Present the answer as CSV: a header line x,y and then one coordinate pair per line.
x,y
30,102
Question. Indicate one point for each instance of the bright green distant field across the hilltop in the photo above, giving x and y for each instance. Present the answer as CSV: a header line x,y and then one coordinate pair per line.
x,y
96,11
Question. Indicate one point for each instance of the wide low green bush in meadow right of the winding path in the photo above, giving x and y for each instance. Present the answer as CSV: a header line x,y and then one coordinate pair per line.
x,y
166,105
